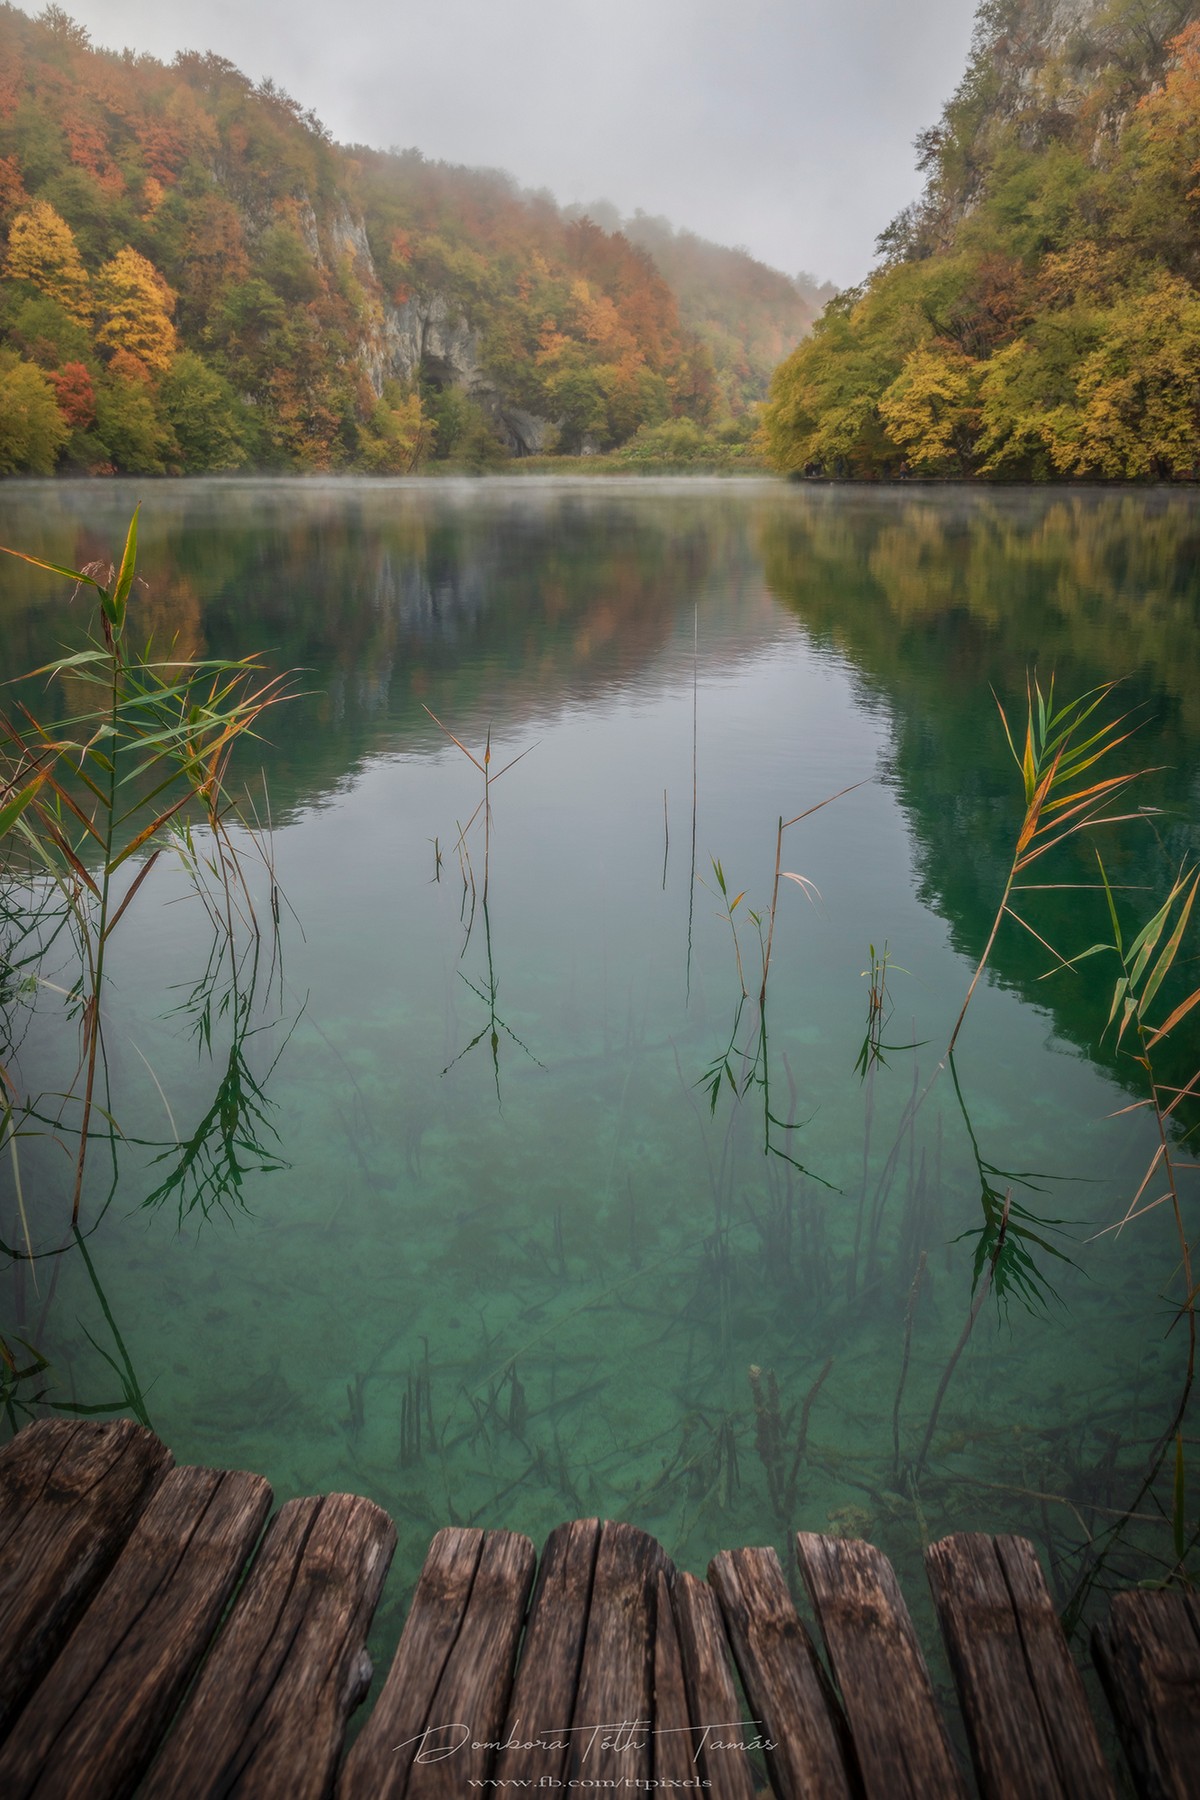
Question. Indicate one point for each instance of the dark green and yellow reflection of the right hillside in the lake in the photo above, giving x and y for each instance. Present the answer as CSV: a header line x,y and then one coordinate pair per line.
x,y
942,602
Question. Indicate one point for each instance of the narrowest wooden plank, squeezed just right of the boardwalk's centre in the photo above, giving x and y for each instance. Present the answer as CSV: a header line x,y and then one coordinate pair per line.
x,y
719,1729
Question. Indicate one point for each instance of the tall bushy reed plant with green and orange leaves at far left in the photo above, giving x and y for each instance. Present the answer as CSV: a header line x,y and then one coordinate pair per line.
x,y
89,805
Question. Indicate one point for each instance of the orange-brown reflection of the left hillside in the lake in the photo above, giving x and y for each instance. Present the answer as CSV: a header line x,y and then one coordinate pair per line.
x,y
496,606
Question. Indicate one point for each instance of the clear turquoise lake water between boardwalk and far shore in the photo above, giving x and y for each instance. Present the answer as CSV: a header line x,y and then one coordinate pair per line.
x,y
553,1252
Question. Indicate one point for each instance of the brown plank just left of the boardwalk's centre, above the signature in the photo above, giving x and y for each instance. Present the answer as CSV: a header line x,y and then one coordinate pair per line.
x,y
548,1680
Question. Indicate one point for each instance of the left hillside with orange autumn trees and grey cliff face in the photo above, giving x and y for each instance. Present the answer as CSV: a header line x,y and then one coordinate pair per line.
x,y
197,278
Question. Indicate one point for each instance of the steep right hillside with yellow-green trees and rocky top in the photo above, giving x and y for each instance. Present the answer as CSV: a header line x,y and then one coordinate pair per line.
x,y
1037,312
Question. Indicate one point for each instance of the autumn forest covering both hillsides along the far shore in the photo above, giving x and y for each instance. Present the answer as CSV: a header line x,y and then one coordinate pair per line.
x,y
195,278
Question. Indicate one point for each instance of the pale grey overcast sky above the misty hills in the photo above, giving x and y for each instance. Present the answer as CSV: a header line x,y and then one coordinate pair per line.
x,y
780,125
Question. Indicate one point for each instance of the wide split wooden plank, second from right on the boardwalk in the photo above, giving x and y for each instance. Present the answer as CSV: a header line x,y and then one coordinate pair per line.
x,y
1023,1700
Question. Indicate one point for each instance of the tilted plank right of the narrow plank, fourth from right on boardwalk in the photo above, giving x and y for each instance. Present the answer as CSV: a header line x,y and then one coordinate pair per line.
x,y
803,1738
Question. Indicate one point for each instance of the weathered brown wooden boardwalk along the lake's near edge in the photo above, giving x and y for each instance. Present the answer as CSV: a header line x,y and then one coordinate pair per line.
x,y
156,1639
